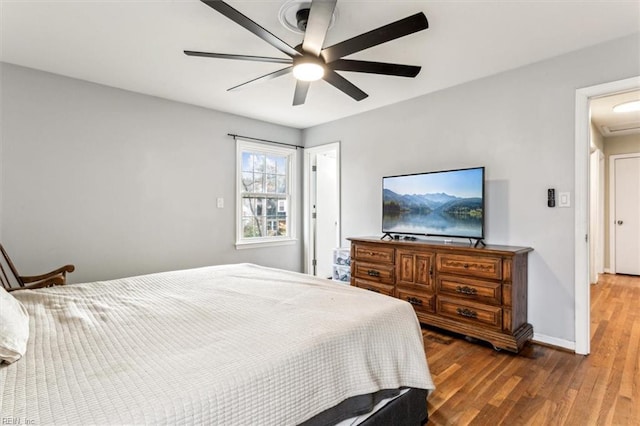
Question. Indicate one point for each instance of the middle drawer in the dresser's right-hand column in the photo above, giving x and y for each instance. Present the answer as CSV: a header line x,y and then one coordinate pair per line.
x,y
470,289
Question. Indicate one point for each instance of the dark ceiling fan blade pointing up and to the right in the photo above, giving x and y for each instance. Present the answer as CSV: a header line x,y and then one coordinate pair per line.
x,y
401,28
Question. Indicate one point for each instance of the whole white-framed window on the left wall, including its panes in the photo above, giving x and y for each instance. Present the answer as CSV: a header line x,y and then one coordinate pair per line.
x,y
265,176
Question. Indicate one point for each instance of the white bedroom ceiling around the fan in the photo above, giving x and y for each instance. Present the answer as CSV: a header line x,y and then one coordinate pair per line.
x,y
137,46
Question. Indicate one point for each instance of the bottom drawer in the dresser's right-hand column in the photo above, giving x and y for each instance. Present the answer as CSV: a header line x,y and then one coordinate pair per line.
x,y
470,312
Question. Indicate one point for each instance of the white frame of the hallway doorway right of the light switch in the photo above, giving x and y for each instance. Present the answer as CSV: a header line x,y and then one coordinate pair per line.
x,y
582,309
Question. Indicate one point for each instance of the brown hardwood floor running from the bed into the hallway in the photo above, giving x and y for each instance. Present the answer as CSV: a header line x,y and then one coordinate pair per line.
x,y
542,385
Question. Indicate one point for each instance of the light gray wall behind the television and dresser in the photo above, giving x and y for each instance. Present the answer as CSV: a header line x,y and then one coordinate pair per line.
x,y
520,126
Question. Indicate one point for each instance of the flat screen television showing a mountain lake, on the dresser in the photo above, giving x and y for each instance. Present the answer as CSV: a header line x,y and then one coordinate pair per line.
x,y
448,203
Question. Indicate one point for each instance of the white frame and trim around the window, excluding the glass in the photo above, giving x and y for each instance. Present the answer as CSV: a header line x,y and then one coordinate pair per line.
x,y
261,148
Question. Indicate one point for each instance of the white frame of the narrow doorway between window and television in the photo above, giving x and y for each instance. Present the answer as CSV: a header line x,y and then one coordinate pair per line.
x,y
309,235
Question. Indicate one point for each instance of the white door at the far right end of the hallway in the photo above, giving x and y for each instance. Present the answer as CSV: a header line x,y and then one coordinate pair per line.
x,y
627,215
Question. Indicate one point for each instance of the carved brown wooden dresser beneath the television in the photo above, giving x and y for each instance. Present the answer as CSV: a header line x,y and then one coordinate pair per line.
x,y
478,292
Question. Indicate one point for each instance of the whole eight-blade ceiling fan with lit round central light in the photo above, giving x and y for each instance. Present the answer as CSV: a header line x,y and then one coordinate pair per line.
x,y
311,61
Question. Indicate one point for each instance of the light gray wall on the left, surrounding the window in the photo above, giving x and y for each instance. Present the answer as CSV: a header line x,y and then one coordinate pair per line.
x,y
119,183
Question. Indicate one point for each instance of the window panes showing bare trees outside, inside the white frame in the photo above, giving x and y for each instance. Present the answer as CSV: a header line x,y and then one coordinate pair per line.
x,y
264,195
